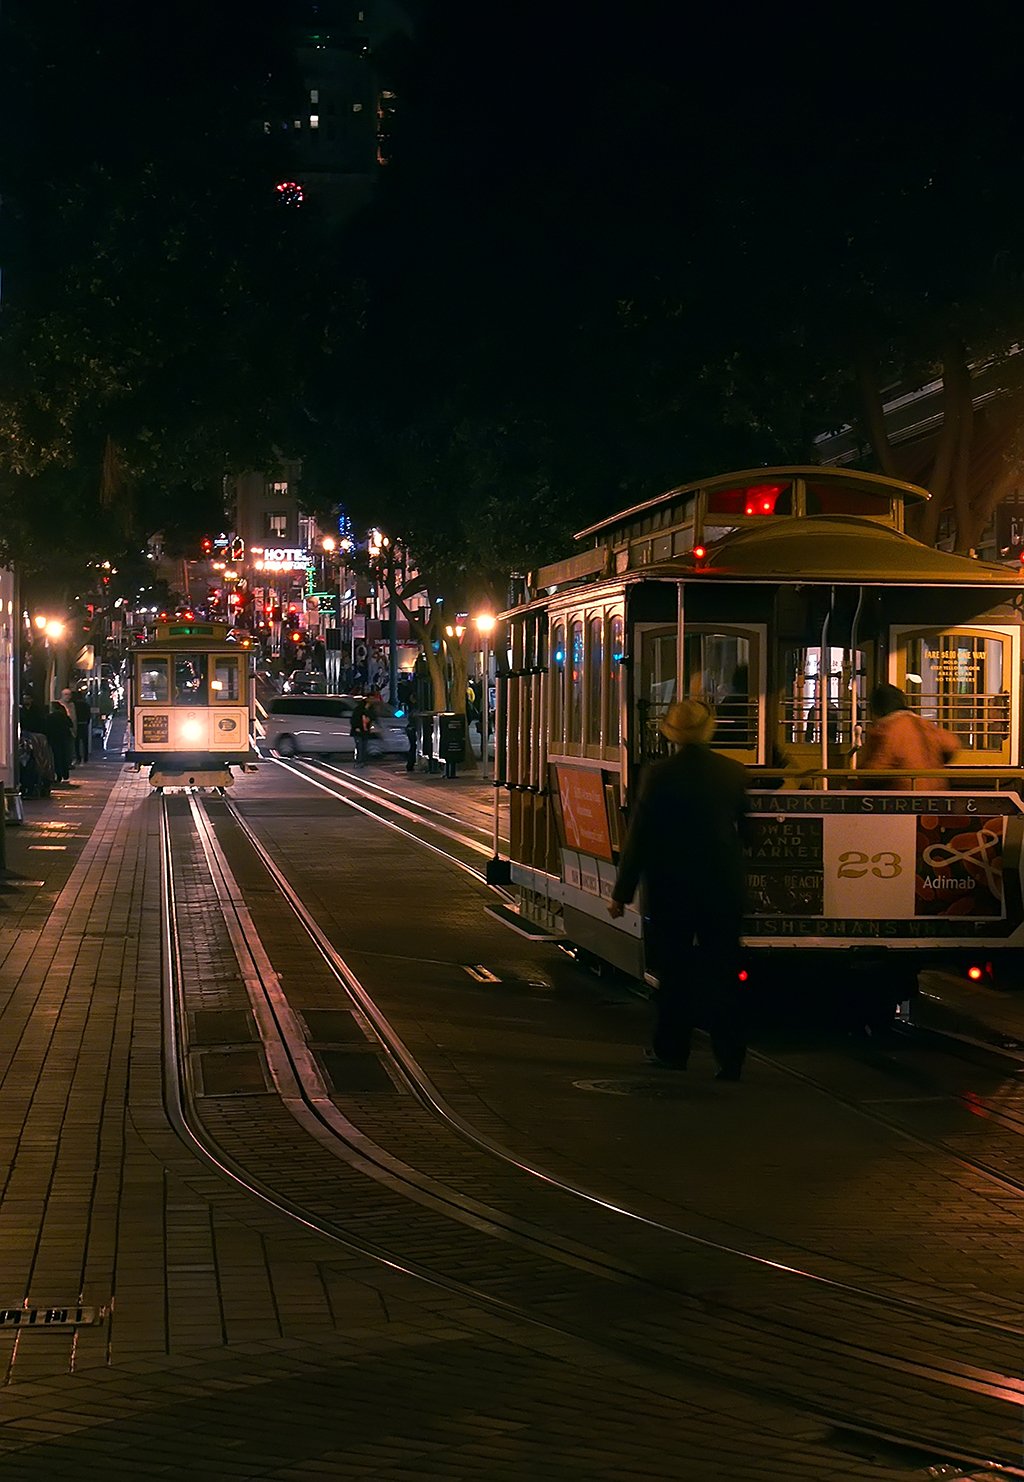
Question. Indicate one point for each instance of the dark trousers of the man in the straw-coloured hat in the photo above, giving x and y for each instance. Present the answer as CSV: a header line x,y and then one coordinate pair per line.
x,y
699,982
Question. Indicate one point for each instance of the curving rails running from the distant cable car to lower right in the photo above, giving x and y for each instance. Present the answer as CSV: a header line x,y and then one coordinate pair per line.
x,y
291,1066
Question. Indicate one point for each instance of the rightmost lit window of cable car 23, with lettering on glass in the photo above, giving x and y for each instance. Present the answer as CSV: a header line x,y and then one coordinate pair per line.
x,y
960,681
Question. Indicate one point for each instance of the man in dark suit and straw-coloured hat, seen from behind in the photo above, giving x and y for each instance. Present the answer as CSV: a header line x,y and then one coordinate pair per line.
x,y
685,843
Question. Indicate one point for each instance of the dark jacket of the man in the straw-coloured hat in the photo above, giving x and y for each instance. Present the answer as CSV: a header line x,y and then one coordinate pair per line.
x,y
685,837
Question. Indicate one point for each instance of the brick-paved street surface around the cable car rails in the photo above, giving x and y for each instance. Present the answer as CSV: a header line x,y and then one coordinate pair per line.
x,y
233,1340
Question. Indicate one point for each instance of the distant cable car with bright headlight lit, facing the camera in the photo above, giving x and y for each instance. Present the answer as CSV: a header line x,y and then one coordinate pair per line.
x,y
192,696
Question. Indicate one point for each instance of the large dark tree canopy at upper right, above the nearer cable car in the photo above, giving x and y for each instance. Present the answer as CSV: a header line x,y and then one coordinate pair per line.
x,y
619,250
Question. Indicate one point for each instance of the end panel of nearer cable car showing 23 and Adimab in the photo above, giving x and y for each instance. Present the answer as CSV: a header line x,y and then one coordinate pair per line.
x,y
911,865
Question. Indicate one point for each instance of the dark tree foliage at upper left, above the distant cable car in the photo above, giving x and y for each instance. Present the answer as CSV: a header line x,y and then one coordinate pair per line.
x,y
156,296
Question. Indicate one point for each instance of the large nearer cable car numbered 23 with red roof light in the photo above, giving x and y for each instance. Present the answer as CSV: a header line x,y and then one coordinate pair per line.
x,y
780,598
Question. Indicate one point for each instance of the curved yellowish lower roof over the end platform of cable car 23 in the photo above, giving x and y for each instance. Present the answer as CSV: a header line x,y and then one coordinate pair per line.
x,y
844,549
